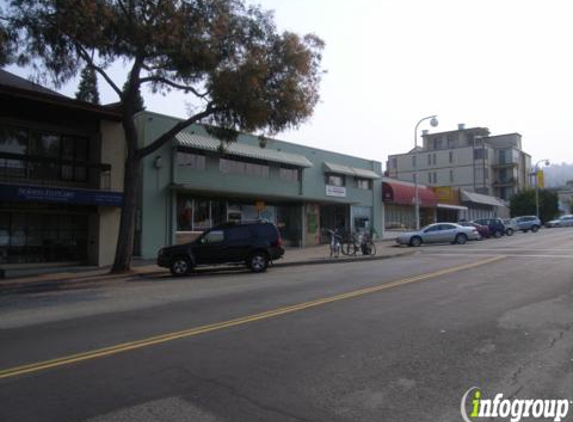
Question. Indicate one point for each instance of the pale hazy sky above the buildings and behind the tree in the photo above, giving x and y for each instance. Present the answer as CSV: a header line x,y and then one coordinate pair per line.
x,y
503,64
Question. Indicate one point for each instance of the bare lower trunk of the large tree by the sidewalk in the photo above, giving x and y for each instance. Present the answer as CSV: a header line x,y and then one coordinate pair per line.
x,y
126,234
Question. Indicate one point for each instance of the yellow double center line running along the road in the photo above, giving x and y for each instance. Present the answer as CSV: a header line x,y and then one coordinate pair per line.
x,y
150,341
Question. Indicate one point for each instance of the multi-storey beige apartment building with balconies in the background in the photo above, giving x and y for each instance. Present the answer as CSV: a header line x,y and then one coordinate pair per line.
x,y
470,159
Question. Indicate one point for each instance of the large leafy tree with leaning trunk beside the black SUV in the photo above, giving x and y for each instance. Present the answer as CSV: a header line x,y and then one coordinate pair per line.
x,y
242,73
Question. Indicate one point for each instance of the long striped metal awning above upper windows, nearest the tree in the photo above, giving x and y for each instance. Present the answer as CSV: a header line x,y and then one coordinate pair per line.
x,y
206,143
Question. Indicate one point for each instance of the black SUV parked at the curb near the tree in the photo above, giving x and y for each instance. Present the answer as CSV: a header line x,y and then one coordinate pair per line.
x,y
252,244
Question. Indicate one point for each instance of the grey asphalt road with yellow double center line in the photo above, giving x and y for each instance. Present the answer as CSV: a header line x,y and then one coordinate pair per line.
x,y
393,340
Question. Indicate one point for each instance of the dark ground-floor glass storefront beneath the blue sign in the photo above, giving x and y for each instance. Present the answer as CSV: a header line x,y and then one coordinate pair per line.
x,y
28,237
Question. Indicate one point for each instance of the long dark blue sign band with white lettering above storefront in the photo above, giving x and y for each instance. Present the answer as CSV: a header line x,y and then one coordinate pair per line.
x,y
18,193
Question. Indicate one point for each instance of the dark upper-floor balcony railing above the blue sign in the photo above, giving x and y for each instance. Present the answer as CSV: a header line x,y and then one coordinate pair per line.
x,y
47,171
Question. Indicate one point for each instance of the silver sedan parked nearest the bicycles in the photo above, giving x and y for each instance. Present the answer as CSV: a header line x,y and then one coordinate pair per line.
x,y
439,233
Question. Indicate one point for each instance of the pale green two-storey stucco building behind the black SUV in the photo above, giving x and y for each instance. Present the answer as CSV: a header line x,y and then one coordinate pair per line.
x,y
195,182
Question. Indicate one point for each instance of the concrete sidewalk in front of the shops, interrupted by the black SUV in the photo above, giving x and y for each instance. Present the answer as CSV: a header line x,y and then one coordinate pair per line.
x,y
77,276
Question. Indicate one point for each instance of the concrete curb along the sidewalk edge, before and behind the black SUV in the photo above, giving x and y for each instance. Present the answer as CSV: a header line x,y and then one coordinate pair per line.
x,y
53,285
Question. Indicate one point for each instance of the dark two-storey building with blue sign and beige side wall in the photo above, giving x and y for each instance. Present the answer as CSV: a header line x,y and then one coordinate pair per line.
x,y
61,178
